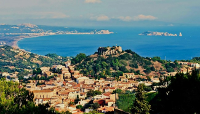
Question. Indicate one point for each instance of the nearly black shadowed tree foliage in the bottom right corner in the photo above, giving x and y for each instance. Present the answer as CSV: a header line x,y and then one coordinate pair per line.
x,y
181,96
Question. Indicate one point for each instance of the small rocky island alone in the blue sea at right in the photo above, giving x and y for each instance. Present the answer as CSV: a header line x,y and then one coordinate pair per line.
x,y
150,33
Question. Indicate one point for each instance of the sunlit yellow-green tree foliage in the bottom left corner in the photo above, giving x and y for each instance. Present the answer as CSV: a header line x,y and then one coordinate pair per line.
x,y
17,100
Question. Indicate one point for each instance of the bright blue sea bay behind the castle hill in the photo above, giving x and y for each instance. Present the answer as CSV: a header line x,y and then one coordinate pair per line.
x,y
167,47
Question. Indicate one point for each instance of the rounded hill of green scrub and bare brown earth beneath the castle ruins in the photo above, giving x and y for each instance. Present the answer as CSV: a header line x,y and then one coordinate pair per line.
x,y
102,65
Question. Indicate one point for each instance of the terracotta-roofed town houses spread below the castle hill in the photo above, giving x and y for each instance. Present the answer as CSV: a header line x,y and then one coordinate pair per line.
x,y
69,84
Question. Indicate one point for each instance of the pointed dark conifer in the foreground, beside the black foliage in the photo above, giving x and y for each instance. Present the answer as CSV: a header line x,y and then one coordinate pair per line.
x,y
141,106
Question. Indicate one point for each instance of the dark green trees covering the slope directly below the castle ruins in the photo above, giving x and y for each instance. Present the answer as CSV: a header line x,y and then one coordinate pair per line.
x,y
100,67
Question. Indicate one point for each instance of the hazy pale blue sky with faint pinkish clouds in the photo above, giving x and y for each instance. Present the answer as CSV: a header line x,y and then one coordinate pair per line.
x,y
101,12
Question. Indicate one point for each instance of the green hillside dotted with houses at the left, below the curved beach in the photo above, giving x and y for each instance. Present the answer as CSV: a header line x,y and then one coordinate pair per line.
x,y
12,60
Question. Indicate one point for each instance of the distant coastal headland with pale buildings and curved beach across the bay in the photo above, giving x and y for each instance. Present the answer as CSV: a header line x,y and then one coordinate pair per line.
x,y
11,34
